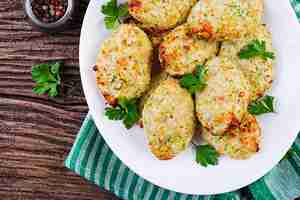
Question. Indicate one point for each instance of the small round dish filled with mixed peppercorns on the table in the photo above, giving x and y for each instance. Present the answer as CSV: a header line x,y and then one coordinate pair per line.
x,y
50,15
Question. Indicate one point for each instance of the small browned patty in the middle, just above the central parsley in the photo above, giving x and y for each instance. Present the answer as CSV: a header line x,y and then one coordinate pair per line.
x,y
180,52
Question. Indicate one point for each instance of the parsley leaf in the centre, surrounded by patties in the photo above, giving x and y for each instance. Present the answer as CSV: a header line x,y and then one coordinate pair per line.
x,y
195,82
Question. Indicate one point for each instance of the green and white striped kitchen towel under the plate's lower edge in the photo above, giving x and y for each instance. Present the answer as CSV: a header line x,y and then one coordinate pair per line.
x,y
91,158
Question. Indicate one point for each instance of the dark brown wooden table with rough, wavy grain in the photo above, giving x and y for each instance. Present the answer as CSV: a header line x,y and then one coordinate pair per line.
x,y
36,133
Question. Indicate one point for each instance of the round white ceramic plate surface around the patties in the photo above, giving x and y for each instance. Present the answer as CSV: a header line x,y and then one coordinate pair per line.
x,y
182,174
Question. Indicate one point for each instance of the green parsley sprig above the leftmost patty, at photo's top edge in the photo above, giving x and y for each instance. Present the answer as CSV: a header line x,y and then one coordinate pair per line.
x,y
113,13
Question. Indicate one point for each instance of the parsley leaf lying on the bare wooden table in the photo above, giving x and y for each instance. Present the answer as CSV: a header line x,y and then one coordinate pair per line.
x,y
47,78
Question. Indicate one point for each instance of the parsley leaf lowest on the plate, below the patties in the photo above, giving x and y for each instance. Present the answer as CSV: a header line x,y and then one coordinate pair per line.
x,y
206,155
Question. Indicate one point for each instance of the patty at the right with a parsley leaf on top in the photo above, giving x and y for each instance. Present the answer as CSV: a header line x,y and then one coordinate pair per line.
x,y
257,70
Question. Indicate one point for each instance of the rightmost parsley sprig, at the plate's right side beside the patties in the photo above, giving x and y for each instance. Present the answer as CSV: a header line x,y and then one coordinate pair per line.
x,y
262,105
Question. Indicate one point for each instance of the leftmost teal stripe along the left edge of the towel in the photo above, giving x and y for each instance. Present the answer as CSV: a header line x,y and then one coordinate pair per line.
x,y
84,133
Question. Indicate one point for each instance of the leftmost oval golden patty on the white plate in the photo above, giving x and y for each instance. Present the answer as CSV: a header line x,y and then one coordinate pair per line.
x,y
124,64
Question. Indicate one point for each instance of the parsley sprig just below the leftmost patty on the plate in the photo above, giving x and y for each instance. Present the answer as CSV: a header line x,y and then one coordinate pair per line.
x,y
126,110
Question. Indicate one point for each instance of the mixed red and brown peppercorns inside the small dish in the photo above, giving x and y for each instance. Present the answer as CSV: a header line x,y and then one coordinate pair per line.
x,y
49,10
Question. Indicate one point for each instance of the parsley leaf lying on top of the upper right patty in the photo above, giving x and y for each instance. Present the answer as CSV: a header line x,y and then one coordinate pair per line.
x,y
254,49
